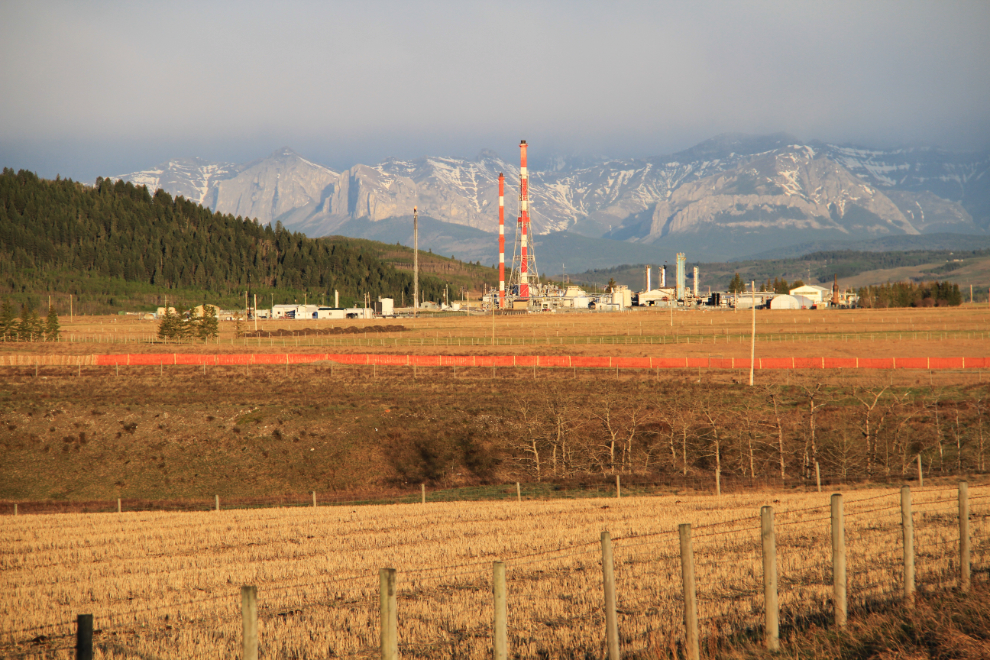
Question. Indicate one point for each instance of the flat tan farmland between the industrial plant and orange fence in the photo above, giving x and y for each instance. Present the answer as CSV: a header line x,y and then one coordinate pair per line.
x,y
933,332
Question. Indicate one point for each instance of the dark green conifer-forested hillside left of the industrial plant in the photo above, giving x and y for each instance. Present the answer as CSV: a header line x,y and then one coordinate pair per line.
x,y
115,245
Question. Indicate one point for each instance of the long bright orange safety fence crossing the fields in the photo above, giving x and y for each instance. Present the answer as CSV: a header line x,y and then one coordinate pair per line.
x,y
542,361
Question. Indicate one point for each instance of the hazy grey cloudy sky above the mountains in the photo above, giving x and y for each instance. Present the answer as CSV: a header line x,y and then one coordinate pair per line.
x,y
103,88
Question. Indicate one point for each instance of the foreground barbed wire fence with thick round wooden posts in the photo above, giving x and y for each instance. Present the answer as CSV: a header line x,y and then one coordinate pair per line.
x,y
663,594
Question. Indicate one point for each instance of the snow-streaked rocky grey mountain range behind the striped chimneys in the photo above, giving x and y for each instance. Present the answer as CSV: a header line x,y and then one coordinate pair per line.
x,y
733,184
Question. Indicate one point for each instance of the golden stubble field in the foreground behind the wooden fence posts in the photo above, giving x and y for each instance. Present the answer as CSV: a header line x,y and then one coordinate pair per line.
x,y
166,585
